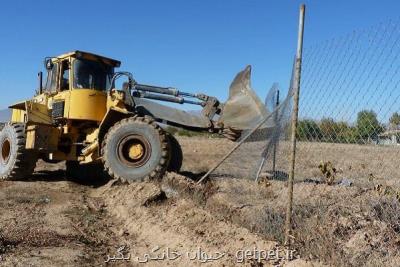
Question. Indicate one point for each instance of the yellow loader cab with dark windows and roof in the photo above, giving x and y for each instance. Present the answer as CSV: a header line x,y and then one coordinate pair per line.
x,y
77,83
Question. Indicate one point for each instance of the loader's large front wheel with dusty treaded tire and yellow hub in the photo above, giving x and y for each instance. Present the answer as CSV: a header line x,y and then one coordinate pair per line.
x,y
135,149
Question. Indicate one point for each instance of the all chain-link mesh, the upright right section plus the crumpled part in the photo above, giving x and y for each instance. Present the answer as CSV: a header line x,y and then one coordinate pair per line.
x,y
347,186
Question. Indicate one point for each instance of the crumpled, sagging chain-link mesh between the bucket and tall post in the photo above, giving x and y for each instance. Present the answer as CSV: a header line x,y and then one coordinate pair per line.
x,y
255,157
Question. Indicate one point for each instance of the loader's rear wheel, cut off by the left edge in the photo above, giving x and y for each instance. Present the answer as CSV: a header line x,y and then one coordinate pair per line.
x,y
15,161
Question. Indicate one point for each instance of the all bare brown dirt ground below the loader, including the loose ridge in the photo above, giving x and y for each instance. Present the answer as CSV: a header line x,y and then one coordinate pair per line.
x,y
49,221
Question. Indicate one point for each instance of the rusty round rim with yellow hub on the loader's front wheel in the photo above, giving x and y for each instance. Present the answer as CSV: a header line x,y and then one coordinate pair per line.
x,y
134,151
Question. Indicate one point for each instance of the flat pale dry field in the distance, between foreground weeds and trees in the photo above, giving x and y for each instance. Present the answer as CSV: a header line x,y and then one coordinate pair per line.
x,y
365,164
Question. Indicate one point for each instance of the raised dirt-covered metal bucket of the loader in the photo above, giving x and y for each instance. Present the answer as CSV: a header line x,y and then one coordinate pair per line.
x,y
243,110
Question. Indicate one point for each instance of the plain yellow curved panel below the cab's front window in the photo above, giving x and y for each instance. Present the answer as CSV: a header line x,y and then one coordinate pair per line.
x,y
85,104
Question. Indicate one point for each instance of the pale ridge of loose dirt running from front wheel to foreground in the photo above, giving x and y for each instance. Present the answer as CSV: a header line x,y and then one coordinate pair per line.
x,y
178,224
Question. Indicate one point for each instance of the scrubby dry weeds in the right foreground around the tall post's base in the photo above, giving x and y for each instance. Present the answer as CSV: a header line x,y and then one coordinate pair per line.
x,y
336,225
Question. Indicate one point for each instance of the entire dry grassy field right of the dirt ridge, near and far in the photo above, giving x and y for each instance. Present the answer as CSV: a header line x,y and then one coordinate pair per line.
x,y
339,225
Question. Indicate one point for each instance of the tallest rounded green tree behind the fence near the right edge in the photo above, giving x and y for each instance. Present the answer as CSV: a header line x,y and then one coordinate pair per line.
x,y
368,125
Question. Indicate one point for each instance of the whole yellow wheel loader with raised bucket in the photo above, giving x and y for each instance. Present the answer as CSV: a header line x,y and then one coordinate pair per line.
x,y
78,116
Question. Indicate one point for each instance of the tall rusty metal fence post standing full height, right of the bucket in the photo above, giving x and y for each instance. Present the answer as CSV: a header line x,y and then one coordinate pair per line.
x,y
296,92
